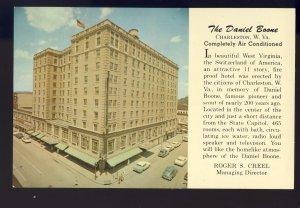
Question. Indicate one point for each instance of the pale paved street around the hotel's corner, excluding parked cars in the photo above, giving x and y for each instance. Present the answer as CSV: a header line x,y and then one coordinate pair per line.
x,y
36,166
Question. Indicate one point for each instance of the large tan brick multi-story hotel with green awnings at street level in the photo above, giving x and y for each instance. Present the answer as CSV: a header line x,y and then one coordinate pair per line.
x,y
105,98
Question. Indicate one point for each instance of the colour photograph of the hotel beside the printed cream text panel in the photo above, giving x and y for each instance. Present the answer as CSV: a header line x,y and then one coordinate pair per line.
x,y
100,97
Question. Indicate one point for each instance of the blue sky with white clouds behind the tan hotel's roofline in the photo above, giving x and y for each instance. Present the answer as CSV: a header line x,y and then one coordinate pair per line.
x,y
36,28
